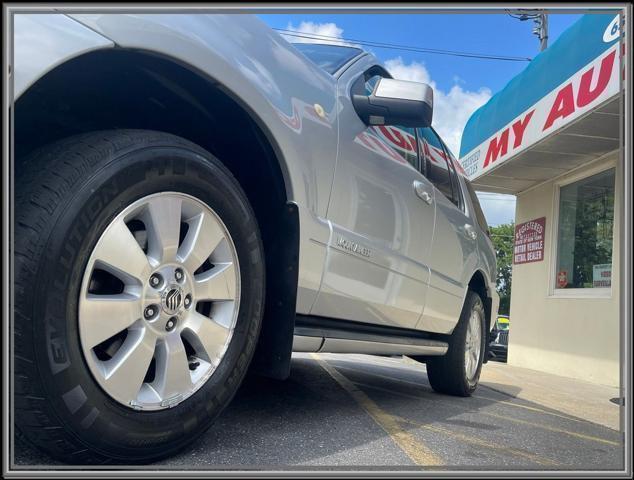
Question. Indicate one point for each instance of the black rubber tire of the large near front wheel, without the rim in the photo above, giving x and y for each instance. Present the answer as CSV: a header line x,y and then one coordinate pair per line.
x,y
66,194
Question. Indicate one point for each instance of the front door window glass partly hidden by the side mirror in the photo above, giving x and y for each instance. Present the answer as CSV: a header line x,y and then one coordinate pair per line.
x,y
400,140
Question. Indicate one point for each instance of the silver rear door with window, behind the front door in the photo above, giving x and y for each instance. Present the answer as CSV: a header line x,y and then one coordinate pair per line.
x,y
454,248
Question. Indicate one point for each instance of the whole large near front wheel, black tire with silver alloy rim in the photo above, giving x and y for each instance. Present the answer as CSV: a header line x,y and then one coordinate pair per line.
x,y
139,286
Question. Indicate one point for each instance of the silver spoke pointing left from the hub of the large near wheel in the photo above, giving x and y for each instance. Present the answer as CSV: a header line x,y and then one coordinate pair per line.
x,y
104,316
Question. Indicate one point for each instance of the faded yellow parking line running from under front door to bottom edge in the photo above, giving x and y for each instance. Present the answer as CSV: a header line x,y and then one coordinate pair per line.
x,y
417,451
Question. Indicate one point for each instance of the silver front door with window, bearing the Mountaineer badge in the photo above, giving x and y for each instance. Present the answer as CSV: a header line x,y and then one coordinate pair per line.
x,y
377,262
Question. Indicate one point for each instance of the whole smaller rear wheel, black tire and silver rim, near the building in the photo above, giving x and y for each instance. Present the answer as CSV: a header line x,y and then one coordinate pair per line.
x,y
458,371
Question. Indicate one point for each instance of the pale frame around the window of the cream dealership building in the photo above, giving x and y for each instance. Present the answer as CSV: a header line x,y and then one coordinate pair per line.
x,y
553,291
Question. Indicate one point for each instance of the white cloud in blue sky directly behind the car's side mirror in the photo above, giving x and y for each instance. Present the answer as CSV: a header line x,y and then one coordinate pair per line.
x,y
452,108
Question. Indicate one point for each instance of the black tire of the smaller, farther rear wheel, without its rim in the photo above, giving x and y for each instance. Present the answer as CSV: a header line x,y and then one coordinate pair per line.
x,y
447,374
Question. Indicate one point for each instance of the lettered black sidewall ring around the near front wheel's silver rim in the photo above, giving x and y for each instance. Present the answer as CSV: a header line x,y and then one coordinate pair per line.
x,y
94,417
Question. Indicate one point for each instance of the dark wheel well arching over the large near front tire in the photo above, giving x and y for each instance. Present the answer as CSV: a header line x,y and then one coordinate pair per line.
x,y
118,88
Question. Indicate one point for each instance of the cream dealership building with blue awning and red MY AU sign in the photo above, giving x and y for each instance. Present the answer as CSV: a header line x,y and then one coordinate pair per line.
x,y
552,137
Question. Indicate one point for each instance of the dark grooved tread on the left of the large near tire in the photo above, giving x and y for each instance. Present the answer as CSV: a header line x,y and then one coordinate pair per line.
x,y
43,181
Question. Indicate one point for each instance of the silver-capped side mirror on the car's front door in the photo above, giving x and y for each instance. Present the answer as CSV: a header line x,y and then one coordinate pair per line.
x,y
396,102
